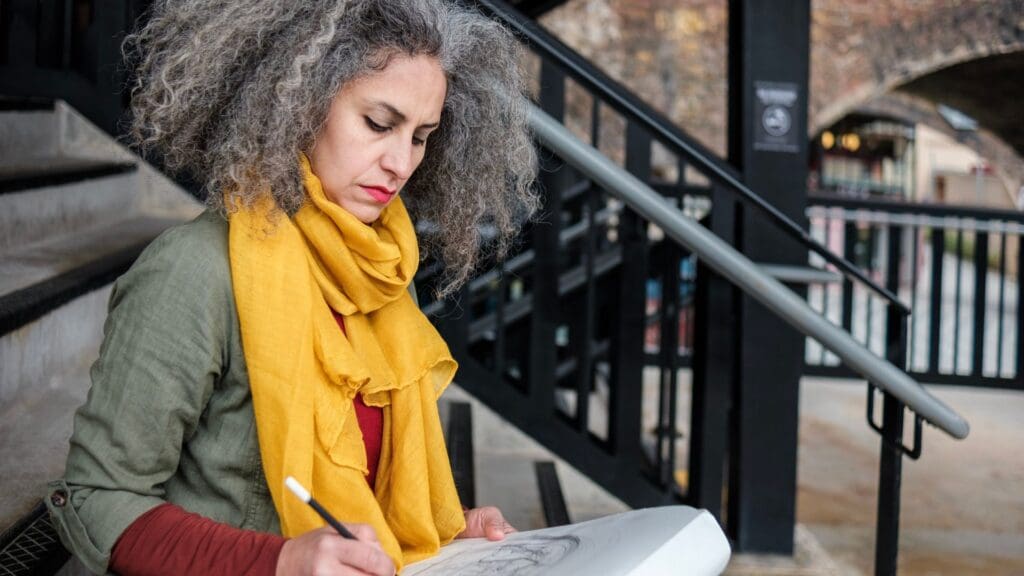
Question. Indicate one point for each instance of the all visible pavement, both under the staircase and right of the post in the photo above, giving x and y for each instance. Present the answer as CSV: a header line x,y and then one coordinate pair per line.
x,y
963,502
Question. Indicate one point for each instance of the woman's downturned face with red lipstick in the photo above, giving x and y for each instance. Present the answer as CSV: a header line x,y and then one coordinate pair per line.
x,y
376,135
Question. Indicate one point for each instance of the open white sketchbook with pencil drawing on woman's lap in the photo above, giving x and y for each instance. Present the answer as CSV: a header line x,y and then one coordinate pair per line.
x,y
676,541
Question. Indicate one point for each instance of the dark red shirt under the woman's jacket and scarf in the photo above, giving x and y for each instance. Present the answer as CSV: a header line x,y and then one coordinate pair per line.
x,y
173,542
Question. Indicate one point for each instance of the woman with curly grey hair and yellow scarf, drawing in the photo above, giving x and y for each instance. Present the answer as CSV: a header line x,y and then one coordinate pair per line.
x,y
284,339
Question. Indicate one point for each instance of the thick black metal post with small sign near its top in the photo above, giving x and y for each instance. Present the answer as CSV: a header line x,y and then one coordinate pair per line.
x,y
770,47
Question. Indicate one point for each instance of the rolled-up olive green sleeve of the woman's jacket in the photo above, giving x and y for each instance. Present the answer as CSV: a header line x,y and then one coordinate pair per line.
x,y
165,346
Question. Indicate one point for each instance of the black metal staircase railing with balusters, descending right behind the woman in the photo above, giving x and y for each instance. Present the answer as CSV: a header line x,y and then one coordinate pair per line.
x,y
576,328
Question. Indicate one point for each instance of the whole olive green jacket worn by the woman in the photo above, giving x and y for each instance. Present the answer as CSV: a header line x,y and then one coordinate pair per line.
x,y
169,418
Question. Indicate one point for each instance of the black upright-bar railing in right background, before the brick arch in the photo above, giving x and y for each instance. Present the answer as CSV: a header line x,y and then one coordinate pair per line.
x,y
959,270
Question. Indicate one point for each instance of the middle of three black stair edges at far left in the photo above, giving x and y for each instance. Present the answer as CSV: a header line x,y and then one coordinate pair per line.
x,y
39,173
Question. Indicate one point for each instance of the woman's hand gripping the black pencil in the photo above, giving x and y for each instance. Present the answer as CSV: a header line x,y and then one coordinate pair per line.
x,y
324,552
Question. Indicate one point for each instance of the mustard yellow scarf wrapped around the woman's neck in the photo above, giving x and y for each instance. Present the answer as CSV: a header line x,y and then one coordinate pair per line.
x,y
305,373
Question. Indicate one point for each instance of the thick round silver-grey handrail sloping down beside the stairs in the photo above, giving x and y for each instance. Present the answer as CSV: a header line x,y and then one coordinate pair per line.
x,y
741,271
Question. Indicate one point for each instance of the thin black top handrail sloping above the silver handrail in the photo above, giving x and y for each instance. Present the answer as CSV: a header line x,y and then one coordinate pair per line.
x,y
626,104
